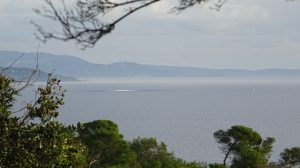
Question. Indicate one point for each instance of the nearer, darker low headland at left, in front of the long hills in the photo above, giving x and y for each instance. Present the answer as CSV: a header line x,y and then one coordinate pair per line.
x,y
22,74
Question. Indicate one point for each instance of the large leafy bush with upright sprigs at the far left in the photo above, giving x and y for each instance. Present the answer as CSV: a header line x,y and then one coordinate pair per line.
x,y
36,138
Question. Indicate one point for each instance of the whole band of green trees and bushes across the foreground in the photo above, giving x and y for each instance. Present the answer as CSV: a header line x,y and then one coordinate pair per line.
x,y
32,137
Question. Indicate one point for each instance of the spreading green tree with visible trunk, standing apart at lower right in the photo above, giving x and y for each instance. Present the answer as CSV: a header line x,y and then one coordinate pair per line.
x,y
244,146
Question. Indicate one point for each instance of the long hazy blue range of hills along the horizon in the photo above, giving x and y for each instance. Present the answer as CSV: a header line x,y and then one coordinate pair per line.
x,y
73,66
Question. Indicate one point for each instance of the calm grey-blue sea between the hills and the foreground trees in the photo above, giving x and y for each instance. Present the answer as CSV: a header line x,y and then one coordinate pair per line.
x,y
185,113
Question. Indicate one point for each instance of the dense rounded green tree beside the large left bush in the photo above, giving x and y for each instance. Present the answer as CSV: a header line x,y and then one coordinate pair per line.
x,y
106,146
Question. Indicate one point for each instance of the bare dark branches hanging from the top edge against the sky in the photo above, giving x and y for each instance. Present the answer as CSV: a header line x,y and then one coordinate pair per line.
x,y
84,22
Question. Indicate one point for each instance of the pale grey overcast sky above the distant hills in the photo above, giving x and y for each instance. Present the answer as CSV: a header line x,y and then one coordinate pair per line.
x,y
244,34
